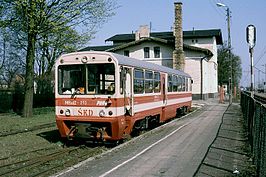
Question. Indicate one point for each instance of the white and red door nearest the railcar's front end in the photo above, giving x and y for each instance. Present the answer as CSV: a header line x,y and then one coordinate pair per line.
x,y
128,90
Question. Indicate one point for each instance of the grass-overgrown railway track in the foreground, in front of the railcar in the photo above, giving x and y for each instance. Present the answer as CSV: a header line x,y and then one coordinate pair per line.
x,y
40,165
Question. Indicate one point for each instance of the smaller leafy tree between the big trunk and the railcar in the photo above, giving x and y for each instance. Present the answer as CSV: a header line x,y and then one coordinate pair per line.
x,y
49,47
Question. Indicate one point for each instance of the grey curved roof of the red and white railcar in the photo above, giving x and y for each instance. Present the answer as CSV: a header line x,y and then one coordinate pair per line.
x,y
124,60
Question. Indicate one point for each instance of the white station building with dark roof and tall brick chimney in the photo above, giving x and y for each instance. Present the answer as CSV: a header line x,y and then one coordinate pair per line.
x,y
198,48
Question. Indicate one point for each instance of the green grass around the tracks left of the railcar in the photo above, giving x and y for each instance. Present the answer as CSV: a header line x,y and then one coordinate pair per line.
x,y
32,144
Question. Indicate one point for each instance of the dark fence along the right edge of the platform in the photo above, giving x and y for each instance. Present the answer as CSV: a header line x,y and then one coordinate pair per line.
x,y
254,113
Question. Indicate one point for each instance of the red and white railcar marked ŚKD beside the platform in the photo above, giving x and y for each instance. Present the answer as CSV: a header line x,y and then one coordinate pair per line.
x,y
106,96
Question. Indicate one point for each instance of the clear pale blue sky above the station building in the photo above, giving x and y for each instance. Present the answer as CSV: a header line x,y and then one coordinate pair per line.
x,y
200,15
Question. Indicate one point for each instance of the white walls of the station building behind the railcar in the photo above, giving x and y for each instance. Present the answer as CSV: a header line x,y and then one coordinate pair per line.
x,y
192,62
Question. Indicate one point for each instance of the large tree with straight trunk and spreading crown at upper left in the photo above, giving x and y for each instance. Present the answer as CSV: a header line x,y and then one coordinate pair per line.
x,y
34,18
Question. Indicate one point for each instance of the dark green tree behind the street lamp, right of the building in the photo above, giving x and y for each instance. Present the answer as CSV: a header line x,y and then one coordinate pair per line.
x,y
224,64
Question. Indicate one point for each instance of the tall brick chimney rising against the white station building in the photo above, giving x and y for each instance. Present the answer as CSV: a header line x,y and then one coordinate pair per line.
x,y
178,54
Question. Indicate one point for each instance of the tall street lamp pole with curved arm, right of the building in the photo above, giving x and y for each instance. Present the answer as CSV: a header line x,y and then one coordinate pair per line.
x,y
229,48
